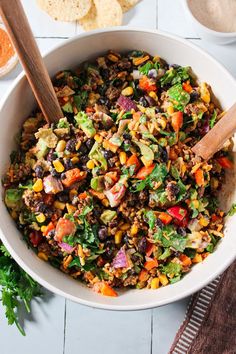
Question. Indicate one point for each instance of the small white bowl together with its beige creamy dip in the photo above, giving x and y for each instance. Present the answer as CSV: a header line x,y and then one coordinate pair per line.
x,y
213,20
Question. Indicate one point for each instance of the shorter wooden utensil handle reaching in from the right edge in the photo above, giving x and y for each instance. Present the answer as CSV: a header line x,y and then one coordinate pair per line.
x,y
214,140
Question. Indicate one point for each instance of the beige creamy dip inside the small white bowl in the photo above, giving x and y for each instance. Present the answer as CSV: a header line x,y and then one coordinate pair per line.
x,y
218,15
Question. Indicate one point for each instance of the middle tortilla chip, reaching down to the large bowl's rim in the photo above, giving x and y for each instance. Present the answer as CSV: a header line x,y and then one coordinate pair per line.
x,y
109,13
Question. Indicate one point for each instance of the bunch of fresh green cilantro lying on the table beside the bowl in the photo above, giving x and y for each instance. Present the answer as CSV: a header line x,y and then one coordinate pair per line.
x,y
17,287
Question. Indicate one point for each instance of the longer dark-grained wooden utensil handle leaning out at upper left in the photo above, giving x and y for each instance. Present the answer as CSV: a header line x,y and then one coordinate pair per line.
x,y
22,38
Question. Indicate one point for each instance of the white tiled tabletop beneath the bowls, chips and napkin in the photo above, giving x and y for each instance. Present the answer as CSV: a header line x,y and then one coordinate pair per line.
x,y
59,326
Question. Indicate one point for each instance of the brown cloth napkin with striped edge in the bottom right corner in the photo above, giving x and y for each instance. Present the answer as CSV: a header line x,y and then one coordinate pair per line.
x,y
210,322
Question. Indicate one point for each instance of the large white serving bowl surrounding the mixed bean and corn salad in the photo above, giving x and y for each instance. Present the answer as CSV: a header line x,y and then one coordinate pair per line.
x,y
18,104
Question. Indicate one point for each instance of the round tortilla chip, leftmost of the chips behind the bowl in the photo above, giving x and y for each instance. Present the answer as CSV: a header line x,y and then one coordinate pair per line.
x,y
65,10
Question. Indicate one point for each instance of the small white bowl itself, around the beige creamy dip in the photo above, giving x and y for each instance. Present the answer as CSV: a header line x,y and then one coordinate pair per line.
x,y
207,33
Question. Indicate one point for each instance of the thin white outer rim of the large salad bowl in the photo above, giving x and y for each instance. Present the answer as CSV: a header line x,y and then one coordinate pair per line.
x,y
92,303
